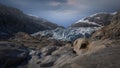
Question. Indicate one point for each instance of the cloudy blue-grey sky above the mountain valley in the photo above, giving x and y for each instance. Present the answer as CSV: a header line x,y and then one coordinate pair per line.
x,y
63,12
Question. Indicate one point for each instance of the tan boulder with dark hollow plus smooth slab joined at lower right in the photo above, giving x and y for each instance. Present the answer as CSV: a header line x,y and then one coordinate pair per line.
x,y
96,54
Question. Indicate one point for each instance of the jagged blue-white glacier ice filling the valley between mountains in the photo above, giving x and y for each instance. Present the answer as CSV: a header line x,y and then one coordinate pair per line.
x,y
69,34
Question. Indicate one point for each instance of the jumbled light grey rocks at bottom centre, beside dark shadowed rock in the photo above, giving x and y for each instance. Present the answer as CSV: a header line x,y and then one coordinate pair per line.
x,y
51,56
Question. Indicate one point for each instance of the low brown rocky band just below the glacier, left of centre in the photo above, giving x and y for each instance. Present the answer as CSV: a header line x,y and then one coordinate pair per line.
x,y
34,42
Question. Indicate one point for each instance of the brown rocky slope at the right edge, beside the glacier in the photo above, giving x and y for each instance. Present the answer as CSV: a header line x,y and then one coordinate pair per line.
x,y
111,31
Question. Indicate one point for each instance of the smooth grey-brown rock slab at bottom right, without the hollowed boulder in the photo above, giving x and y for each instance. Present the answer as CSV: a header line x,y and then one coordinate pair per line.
x,y
99,56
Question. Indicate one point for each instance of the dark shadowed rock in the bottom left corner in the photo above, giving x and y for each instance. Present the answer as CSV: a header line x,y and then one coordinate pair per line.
x,y
12,55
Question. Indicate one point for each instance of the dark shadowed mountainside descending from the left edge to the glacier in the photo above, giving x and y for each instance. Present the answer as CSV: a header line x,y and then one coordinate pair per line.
x,y
13,20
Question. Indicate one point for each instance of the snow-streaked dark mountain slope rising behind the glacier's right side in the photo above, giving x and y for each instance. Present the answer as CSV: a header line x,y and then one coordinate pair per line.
x,y
95,20
